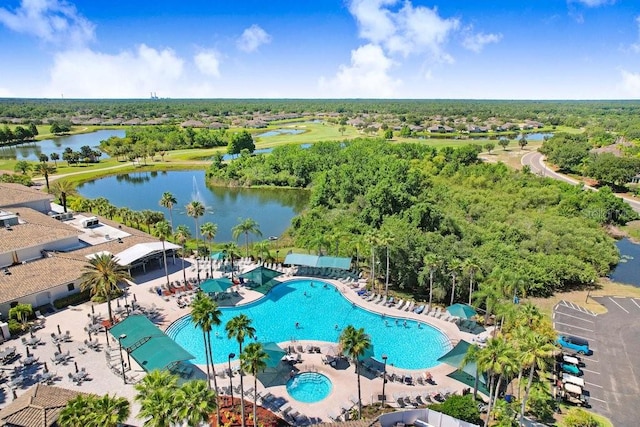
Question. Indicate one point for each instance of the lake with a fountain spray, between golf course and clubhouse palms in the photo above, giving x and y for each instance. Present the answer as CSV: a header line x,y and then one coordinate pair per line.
x,y
273,209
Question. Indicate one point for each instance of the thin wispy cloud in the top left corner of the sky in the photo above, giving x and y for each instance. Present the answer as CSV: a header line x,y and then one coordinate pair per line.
x,y
54,21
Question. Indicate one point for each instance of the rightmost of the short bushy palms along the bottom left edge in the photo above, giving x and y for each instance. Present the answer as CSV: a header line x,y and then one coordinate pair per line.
x,y
195,402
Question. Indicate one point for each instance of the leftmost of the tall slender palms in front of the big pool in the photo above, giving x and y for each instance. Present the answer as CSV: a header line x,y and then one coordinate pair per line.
x,y
205,314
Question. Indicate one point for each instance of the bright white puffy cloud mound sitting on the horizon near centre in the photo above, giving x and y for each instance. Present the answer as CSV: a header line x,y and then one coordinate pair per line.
x,y
366,77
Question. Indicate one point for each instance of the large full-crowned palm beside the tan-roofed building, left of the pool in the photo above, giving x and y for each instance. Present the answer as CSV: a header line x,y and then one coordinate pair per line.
x,y
102,275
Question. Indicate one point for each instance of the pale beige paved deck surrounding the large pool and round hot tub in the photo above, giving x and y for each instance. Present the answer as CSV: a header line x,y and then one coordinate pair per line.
x,y
102,381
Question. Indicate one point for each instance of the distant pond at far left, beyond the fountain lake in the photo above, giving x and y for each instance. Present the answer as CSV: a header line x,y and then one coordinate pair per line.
x,y
32,150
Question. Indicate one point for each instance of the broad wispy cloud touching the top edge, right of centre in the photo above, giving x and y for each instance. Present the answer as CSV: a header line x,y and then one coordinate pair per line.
x,y
410,30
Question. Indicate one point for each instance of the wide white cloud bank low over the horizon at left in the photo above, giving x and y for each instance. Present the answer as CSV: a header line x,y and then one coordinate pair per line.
x,y
84,73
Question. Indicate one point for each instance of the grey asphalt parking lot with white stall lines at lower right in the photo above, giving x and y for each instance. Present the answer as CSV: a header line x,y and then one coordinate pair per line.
x,y
611,373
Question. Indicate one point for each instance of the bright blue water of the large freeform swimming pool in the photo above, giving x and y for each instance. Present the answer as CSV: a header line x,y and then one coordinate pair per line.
x,y
321,312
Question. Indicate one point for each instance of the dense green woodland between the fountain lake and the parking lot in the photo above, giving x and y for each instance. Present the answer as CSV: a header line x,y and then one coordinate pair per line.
x,y
442,209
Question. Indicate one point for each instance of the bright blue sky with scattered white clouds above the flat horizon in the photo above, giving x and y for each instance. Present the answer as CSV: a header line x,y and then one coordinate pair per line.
x,y
535,49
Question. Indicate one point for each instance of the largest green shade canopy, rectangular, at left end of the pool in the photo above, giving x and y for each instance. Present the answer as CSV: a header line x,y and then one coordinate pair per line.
x,y
147,344
